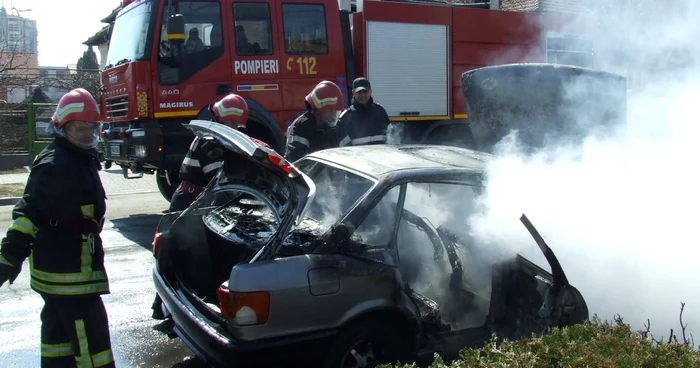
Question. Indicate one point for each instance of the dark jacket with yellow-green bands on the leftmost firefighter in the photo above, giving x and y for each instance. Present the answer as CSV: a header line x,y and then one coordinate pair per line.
x,y
58,221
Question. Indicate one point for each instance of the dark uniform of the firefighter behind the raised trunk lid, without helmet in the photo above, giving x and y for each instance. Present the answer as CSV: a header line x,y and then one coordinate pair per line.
x,y
203,159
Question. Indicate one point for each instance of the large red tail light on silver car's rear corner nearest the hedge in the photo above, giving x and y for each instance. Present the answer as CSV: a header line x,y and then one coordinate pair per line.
x,y
244,309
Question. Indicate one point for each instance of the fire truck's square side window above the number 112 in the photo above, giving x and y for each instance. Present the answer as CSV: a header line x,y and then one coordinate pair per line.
x,y
304,29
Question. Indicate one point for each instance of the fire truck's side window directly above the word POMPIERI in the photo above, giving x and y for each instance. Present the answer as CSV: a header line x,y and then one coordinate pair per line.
x,y
253,29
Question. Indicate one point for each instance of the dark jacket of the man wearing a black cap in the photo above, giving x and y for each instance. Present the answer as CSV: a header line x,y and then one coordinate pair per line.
x,y
365,123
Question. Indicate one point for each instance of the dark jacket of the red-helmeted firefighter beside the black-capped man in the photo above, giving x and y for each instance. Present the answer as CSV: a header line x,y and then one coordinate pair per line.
x,y
306,136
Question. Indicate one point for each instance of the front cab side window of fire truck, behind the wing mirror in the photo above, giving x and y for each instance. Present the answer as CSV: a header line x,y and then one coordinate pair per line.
x,y
203,40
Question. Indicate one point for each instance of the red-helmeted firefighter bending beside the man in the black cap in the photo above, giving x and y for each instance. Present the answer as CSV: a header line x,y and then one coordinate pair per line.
x,y
317,128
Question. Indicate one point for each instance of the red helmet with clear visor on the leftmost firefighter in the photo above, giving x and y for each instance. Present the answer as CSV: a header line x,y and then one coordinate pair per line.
x,y
77,104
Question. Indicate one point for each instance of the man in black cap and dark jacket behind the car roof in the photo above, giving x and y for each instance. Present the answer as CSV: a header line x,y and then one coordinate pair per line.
x,y
365,121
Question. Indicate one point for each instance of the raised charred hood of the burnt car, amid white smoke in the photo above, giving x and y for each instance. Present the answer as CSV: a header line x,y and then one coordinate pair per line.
x,y
545,103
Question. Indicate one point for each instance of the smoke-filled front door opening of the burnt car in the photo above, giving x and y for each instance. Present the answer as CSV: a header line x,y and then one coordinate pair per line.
x,y
437,257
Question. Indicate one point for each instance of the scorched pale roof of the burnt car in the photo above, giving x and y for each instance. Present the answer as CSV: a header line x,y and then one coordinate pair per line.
x,y
381,159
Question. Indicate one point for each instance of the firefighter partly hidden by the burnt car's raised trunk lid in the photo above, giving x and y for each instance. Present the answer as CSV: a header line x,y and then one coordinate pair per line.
x,y
205,154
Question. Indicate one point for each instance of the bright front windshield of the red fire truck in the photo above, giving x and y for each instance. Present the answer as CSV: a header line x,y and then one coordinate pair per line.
x,y
129,35
